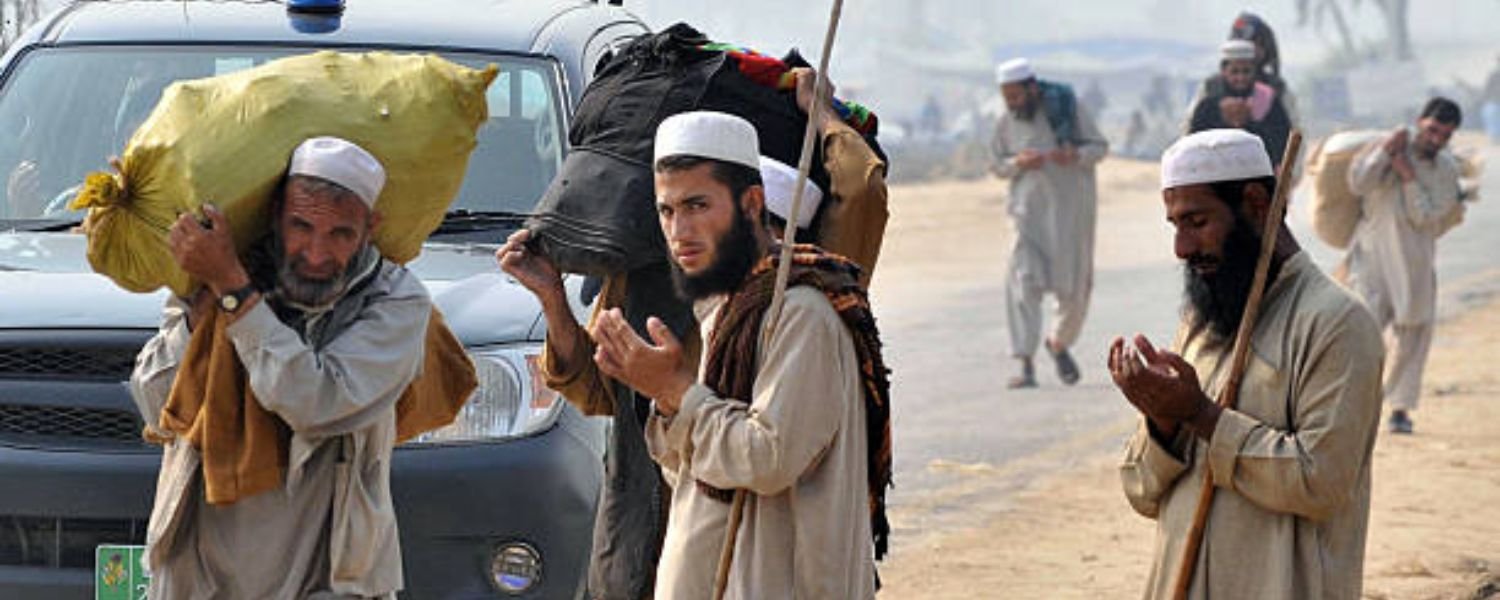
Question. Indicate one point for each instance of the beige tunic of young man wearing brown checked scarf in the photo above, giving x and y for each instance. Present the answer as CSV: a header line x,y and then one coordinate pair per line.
x,y
799,448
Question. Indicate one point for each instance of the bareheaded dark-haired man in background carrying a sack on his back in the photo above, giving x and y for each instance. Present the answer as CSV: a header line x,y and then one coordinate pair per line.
x,y
1411,199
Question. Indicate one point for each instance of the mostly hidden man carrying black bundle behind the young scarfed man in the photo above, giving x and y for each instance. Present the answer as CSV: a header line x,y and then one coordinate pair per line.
x,y
634,503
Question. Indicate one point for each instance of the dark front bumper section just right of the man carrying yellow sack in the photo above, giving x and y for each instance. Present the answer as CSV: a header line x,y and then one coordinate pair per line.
x,y
457,505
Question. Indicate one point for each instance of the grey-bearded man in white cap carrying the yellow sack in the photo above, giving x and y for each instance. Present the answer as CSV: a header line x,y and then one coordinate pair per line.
x,y
331,337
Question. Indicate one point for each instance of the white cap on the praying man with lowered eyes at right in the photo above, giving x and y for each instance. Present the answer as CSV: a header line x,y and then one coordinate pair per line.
x,y
1216,155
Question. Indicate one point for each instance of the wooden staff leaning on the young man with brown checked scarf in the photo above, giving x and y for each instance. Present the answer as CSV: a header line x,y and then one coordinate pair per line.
x,y
784,272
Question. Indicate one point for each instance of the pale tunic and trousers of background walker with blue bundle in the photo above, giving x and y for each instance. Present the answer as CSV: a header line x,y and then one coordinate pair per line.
x,y
1054,209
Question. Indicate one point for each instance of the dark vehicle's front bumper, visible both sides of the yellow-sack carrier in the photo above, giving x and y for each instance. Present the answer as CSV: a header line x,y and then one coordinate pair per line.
x,y
455,505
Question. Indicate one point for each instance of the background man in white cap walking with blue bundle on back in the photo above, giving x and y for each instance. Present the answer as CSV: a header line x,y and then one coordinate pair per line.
x,y
1046,143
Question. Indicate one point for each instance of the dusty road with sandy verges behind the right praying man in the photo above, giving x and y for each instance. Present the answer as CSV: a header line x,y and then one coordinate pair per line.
x,y
1015,496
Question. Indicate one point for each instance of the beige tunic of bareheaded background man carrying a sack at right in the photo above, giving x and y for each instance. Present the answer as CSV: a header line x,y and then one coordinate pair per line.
x,y
1394,257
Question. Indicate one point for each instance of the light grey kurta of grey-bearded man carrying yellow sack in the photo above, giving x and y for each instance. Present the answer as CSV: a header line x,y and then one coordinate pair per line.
x,y
331,532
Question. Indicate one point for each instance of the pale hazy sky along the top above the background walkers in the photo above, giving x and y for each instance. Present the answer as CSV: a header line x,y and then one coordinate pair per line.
x,y
1453,38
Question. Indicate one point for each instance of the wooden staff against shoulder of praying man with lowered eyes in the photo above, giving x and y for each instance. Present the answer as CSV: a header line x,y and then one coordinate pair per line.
x,y
1241,356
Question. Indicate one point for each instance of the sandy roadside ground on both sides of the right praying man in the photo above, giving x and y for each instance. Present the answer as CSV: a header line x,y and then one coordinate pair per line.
x,y
1435,527
